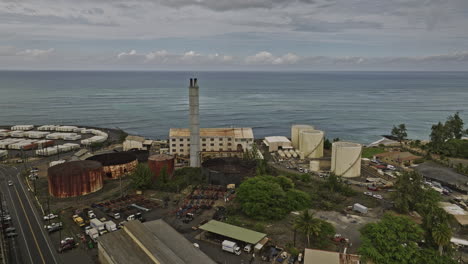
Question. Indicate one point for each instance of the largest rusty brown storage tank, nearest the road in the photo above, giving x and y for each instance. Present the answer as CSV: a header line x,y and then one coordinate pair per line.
x,y
75,178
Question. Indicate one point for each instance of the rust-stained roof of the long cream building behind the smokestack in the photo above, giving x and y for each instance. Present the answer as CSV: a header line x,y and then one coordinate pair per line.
x,y
214,132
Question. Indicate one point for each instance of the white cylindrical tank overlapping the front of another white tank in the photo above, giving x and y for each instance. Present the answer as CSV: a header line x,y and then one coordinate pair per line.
x,y
311,143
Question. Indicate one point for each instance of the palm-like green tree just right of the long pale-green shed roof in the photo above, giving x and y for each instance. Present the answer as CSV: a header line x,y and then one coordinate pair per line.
x,y
312,227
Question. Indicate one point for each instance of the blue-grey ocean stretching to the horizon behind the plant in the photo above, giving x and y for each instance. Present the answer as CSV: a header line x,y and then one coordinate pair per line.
x,y
355,106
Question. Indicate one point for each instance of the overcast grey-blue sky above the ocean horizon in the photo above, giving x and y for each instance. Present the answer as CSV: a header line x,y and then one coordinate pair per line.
x,y
234,34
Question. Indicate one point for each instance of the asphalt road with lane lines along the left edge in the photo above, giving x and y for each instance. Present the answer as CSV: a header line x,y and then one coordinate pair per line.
x,y
32,245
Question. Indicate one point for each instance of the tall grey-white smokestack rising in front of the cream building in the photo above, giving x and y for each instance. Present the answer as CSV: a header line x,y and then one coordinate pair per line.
x,y
194,124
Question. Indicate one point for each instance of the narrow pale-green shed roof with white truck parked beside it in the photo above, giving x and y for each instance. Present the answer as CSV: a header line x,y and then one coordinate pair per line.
x,y
234,232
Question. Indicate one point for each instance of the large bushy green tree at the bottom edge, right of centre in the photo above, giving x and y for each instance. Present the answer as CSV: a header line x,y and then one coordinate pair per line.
x,y
394,239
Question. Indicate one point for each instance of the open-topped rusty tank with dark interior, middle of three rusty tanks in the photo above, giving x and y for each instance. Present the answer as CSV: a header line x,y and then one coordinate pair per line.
x,y
116,164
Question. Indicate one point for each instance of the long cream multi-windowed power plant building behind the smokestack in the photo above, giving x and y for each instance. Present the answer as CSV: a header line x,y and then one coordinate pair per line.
x,y
211,139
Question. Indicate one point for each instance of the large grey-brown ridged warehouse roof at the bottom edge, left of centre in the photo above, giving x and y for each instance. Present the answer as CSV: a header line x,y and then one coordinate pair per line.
x,y
152,242
